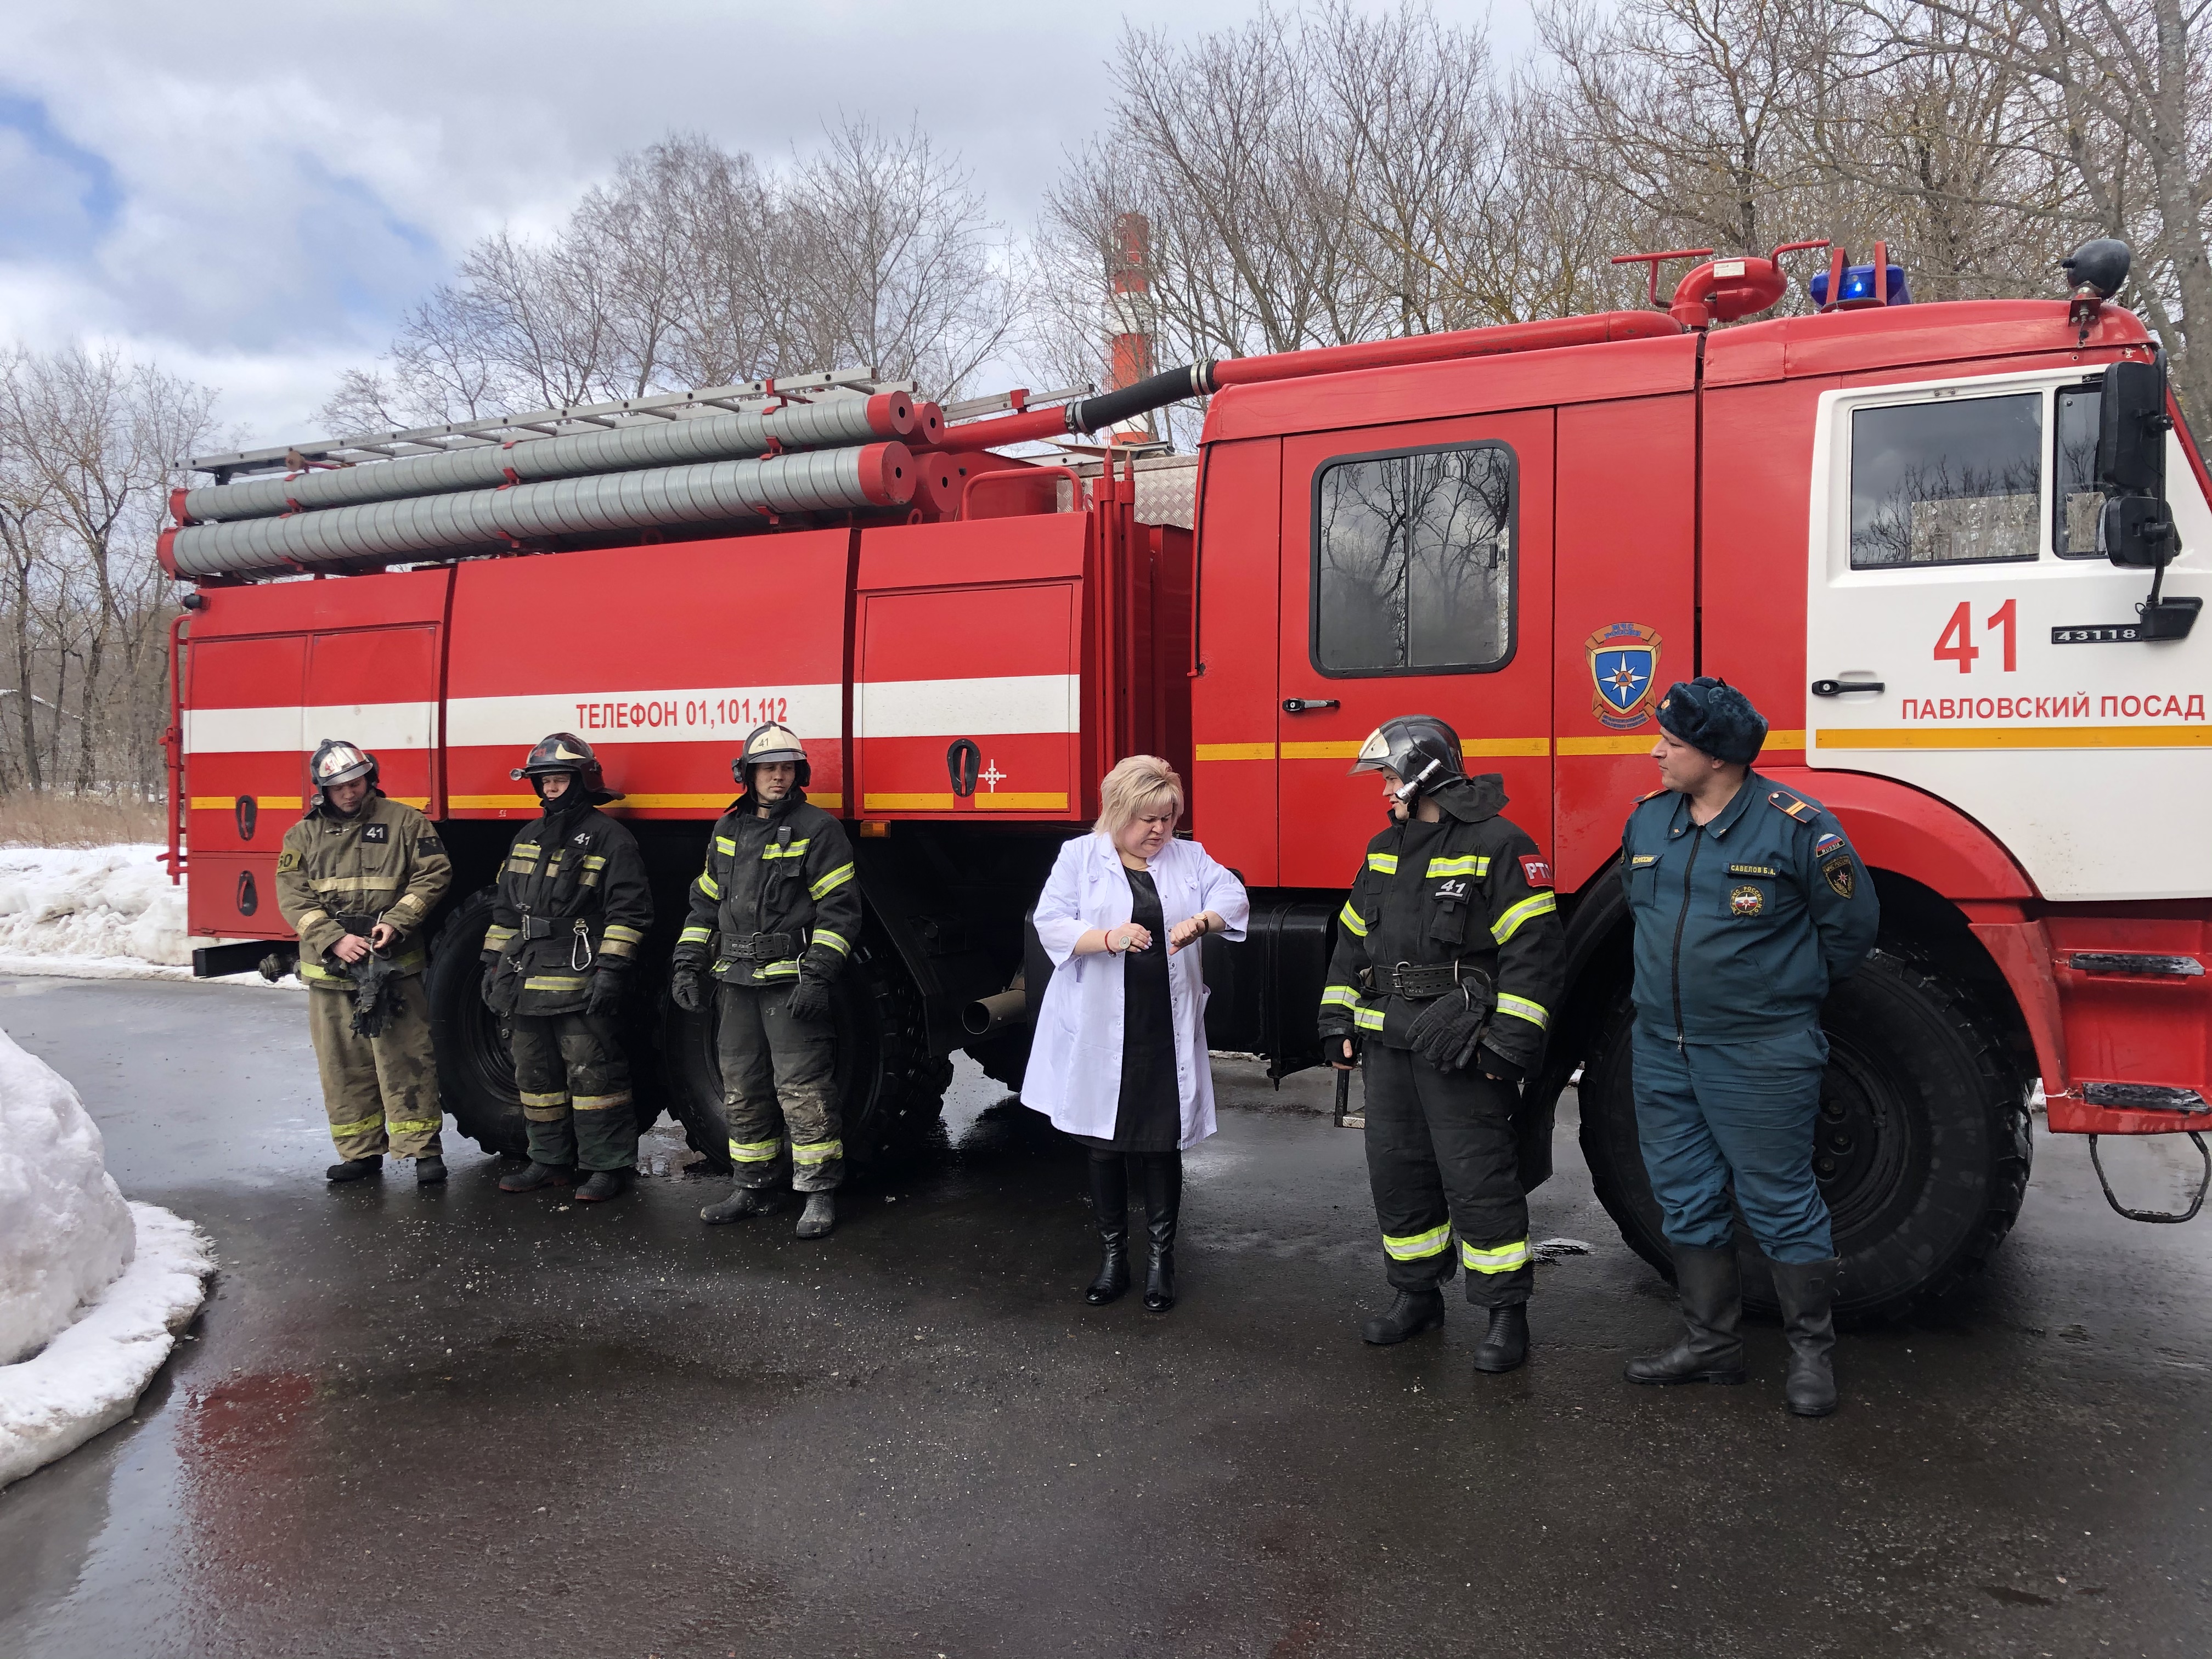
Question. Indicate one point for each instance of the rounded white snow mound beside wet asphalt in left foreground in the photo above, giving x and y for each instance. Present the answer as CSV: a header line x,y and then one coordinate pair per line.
x,y
92,1288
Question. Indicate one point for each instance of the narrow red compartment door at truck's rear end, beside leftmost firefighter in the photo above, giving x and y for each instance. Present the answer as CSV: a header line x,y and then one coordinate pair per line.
x,y
242,775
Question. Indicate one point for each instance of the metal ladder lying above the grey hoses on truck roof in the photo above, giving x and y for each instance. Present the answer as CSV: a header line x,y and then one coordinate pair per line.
x,y
547,424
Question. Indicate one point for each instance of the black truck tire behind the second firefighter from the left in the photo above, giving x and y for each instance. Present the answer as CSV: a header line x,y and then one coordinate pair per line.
x,y
477,1072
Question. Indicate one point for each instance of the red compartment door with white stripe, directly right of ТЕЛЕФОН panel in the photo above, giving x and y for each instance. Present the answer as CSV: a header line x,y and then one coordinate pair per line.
x,y
972,634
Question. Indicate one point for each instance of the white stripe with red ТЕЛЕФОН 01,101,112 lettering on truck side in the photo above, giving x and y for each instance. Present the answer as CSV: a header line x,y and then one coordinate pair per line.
x,y
713,716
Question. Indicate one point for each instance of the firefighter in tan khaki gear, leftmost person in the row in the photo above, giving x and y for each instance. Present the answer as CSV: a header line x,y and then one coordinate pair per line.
x,y
357,879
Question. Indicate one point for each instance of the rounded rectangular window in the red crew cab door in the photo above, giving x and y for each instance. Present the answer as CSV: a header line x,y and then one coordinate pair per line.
x,y
1415,563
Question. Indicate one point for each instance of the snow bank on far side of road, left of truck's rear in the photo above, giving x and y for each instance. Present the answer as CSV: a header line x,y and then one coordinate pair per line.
x,y
96,906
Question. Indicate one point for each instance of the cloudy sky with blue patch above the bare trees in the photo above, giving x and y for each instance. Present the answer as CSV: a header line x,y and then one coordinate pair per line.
x,y
253,196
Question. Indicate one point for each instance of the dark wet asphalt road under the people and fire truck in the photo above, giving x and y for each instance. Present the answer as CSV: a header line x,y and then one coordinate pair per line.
x,y
452,1421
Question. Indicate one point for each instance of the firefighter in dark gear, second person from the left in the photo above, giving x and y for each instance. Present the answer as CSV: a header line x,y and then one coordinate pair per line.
x,y
567,919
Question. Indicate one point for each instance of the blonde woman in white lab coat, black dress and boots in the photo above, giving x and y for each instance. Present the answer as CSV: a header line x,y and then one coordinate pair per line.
x,y
1118,1058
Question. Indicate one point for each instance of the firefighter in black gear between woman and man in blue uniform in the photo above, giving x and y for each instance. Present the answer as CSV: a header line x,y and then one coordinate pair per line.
x,y
1448,966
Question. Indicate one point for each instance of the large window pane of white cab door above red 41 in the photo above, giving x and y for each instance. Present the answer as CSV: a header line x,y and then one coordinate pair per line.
x,y
1957,481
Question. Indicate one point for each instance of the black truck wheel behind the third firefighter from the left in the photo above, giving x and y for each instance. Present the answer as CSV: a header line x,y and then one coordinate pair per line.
x,y
890,1087
